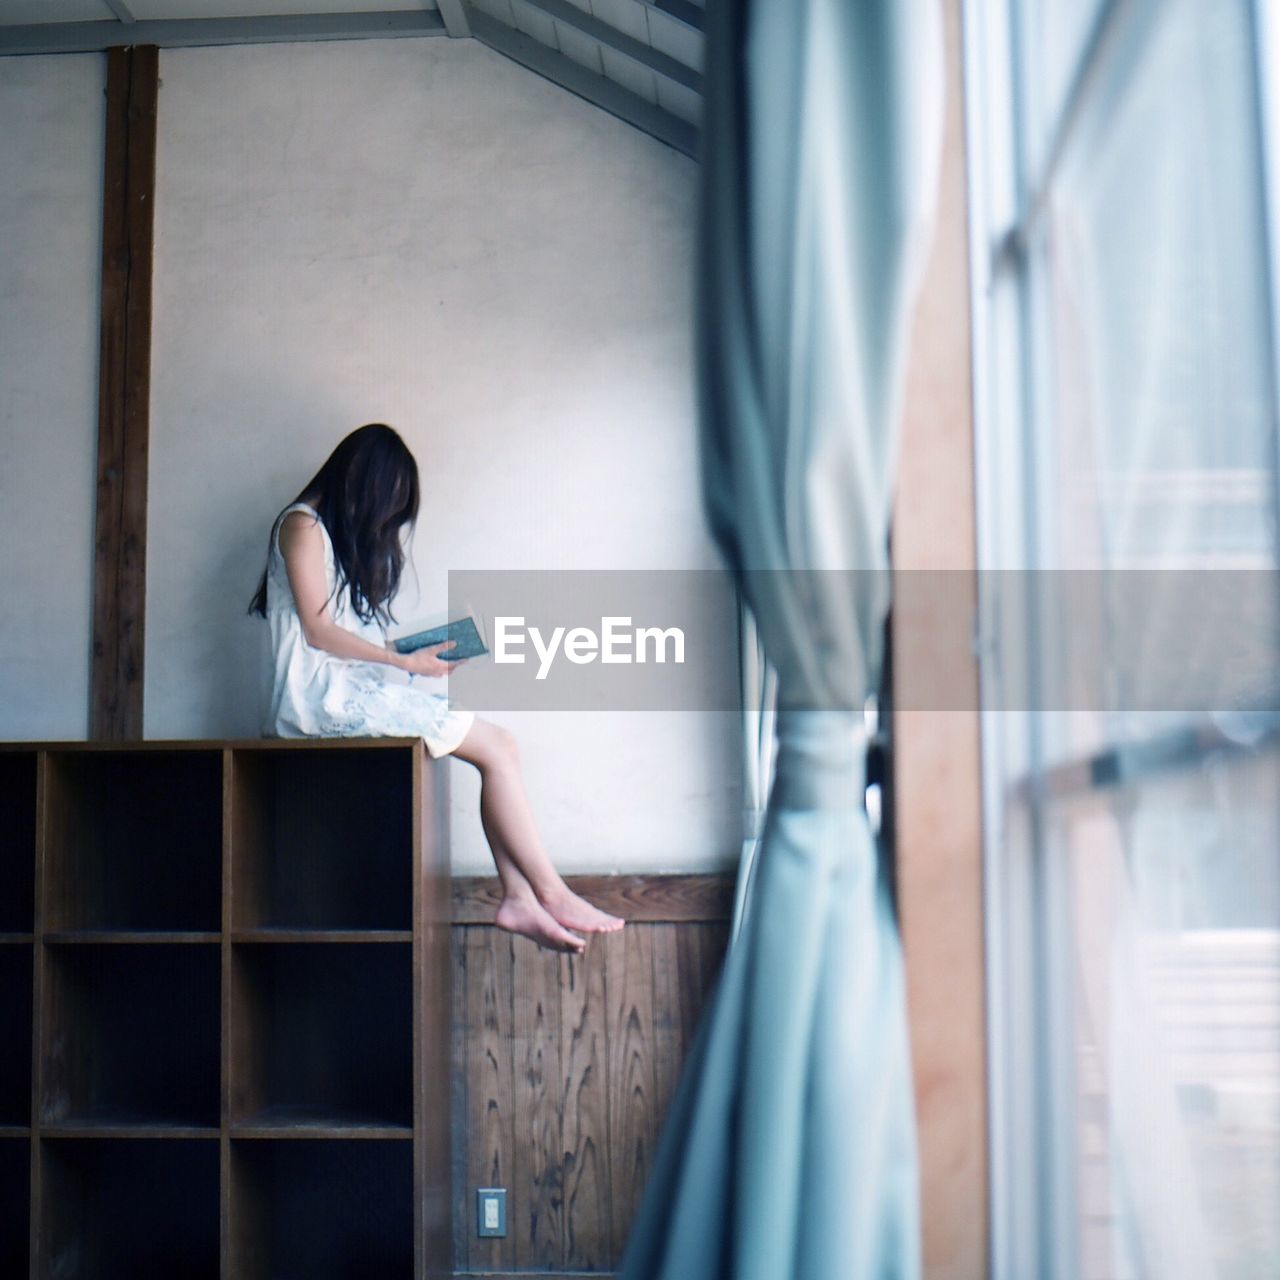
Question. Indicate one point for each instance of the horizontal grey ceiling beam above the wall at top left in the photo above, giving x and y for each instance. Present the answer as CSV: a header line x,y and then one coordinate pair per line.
x,y
83,38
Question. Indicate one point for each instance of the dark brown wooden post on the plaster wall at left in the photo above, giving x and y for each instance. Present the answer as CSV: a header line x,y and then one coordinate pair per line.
x,y
125,395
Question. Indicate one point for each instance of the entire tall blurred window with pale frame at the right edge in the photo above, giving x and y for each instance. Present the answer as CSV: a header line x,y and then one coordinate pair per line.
x,y
1128,455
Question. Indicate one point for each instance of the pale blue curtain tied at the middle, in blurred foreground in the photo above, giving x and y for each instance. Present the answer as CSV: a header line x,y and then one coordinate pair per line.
x,y
790,1149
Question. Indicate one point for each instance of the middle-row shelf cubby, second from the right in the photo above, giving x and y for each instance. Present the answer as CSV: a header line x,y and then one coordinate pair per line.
x,y
131,1037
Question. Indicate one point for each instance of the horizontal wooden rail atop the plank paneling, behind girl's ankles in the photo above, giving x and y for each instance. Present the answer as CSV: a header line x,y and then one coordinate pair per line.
x,y
641,899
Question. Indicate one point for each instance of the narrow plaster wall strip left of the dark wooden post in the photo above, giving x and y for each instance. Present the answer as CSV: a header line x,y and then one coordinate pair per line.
x,y
52,115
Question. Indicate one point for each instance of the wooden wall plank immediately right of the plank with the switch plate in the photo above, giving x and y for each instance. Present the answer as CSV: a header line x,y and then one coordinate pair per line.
x,y
538,1215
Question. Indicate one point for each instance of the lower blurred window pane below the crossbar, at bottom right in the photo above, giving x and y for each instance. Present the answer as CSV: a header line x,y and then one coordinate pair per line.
x,y
1176,904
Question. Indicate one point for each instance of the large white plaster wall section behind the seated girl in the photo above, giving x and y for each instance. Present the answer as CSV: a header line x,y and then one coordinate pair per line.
x,y
422,232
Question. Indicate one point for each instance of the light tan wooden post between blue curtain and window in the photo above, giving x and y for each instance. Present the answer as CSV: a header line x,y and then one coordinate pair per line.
x,y
938,781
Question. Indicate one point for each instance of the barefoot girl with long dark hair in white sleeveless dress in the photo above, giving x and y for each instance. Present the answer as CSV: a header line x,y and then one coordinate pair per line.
x,y
333,569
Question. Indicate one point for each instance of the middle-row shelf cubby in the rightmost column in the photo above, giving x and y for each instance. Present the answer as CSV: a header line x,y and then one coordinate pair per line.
x,y
322,1037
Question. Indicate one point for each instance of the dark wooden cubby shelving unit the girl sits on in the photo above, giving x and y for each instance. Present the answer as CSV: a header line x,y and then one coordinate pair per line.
x,y
225,986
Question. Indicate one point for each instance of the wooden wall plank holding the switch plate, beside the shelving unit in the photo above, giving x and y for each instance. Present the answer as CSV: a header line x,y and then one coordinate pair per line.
x,y
491,1121
